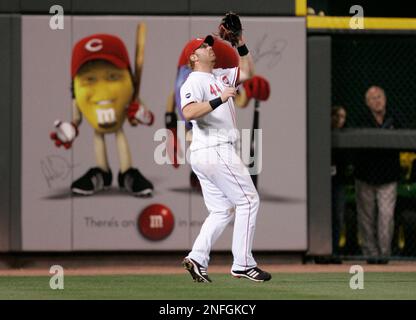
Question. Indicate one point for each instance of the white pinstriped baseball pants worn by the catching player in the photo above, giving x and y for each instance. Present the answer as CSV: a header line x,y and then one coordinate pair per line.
x,y
228,190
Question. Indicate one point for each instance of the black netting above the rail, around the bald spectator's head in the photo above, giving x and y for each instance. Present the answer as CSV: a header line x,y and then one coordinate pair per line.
x,y
387,61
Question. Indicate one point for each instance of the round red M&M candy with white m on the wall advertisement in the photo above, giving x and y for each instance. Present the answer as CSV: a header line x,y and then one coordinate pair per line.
x,y
156,222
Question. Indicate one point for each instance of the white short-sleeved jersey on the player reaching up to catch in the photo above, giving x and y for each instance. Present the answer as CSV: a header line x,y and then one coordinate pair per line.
x,y
218,126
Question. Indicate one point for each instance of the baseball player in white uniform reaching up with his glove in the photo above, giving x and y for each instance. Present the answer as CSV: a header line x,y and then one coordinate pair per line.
x,y
207,100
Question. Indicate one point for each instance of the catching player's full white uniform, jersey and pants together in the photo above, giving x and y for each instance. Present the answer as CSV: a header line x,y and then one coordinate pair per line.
x,y
226,184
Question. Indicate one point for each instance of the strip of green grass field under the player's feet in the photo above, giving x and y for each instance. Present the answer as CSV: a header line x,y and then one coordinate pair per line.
x,y
150,287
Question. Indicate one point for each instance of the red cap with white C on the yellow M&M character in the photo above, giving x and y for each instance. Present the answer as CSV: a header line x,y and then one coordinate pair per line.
x,y
99,47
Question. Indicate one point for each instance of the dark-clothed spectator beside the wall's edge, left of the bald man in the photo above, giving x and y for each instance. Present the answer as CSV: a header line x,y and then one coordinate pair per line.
x,y
338,181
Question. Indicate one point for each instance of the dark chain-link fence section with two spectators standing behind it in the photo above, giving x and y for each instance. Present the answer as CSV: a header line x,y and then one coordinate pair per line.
x,y
374,189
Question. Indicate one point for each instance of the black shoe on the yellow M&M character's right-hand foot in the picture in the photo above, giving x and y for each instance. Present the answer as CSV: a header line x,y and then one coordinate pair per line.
x,y
133,181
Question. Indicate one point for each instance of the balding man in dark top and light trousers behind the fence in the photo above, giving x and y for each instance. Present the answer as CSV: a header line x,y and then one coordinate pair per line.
x,y
376,174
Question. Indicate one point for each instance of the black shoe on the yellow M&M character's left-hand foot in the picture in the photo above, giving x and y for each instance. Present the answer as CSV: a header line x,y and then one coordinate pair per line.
x,y
94,180
